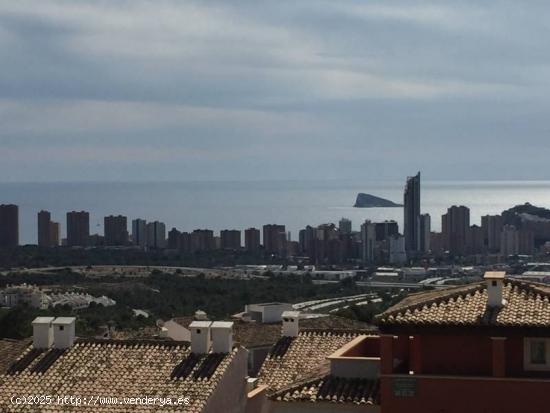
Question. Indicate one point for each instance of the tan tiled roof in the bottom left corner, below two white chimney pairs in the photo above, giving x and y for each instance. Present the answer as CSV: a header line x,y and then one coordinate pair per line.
x,y
109,368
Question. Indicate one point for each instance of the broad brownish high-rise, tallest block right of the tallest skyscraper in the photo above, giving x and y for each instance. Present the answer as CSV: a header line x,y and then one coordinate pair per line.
x,y
455,225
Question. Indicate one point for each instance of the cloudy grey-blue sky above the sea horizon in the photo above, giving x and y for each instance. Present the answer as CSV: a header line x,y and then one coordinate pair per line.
x,y
251,90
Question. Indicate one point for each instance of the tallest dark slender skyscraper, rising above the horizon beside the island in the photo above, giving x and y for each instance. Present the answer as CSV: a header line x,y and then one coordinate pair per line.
x,y
411,207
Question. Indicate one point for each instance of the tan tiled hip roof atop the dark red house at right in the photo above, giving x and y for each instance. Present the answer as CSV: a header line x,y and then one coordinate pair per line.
x,y
527,306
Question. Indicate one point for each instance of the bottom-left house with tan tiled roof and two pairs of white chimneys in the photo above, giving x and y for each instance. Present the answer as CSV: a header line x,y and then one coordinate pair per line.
x,y
209,375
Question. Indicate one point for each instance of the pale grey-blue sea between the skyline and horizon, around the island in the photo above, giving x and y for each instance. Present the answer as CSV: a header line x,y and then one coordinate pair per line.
x,y
242,204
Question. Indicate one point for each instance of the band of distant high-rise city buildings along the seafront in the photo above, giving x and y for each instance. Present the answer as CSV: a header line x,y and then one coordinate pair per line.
x,y
375,242
